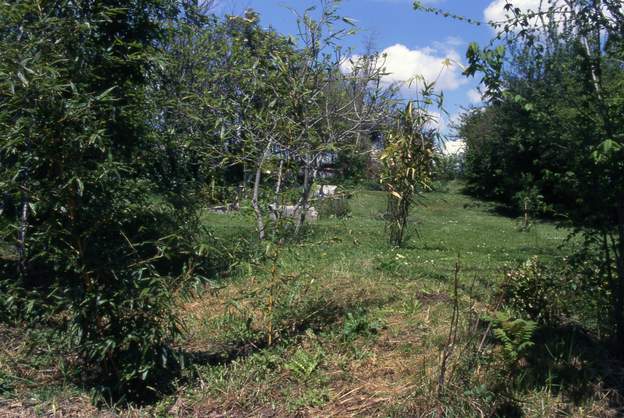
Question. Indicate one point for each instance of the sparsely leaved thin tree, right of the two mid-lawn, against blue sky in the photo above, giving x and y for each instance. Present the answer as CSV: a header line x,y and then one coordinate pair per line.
x,y
335,98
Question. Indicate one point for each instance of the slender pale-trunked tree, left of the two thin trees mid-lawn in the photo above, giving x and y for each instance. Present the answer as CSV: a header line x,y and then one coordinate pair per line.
x,y
258,68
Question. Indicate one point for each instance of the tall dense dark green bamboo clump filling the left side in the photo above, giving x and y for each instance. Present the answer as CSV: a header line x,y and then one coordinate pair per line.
x,y
99,248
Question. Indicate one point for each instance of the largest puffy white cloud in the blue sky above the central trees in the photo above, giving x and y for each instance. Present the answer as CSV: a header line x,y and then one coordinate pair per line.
x,y
403,65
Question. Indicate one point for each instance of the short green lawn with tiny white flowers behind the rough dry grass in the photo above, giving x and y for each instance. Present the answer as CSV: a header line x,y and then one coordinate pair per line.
x,y
446,225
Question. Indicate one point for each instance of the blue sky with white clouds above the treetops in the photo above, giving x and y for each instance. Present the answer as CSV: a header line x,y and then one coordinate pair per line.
x,y
416,43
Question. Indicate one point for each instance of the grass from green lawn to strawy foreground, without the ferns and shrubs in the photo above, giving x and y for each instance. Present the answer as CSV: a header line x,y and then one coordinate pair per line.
x,y
357,327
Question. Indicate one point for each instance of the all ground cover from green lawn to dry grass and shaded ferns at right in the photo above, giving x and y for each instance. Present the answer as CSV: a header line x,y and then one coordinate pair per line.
x,y
339,323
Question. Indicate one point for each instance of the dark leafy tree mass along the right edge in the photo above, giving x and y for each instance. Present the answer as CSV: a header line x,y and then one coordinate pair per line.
x,y
564,88
